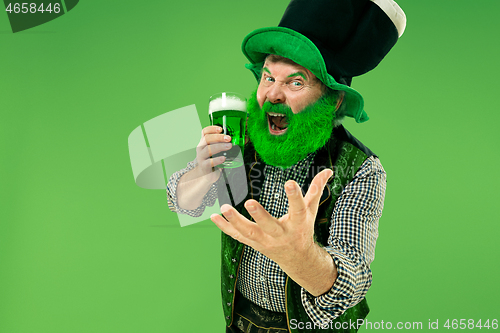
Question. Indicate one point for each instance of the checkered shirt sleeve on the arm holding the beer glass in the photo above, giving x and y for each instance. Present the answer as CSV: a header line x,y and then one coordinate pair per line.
x,y
173,181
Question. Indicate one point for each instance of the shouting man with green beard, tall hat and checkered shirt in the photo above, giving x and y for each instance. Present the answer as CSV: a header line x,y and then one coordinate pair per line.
x,y
296,252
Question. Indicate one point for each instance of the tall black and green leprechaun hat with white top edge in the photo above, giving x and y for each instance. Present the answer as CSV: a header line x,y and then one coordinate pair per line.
x,y
335,39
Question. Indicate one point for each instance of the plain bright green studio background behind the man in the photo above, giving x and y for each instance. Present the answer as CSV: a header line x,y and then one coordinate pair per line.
x,y
83,249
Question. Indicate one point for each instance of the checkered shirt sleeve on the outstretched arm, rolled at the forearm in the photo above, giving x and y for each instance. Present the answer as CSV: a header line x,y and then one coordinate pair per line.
x,y
353,233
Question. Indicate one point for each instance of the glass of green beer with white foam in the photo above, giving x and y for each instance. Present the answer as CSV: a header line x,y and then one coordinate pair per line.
x,y
229,111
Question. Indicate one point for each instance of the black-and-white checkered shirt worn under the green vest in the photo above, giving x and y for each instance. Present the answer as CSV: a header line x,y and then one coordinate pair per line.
x,y
353,233
